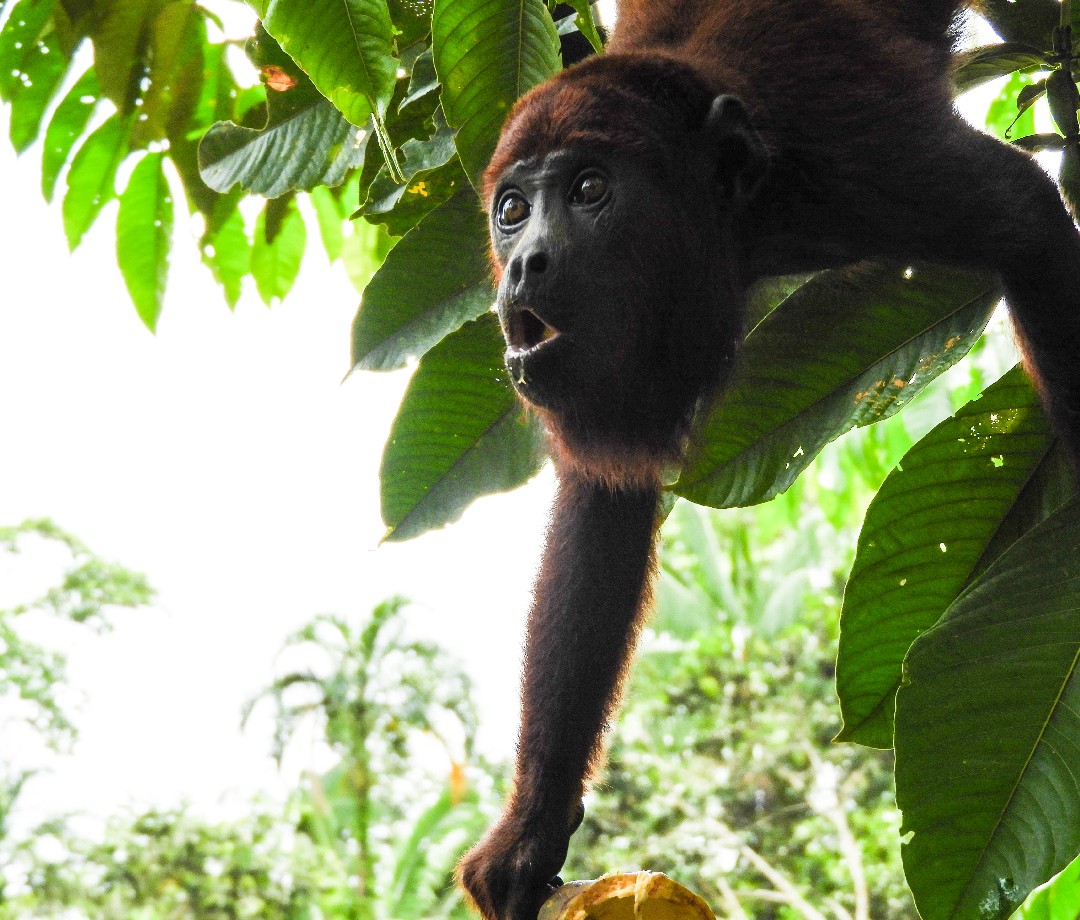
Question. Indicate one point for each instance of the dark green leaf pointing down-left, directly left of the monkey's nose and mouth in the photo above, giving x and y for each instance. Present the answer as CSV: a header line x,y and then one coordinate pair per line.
x,y
435,280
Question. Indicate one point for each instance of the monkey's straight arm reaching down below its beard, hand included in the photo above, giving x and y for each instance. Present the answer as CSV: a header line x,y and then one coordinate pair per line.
x,y
583,627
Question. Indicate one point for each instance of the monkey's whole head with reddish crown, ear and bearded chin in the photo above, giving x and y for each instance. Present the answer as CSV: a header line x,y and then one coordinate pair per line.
x,y
612,197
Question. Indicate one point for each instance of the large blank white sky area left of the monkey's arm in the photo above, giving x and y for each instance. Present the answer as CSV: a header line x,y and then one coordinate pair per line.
x,y
226,461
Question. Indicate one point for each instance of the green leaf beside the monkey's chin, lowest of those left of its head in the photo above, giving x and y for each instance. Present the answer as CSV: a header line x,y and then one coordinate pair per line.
x,y
461,434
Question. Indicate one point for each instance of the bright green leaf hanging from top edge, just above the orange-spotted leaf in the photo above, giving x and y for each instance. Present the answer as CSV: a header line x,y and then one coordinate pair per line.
x,y
346,47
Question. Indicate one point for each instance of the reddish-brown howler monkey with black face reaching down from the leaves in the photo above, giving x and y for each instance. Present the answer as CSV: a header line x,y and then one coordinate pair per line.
x,y
633,198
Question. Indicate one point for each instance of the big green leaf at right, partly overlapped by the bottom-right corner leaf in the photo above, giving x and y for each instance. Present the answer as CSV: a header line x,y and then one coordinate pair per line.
x,y
925,535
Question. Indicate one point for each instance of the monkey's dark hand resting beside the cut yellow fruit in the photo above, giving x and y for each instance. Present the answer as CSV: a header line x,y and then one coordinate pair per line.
x,y
514,870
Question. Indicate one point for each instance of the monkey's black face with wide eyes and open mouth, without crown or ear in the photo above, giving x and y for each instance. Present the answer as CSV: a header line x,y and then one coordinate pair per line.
x,y
615,296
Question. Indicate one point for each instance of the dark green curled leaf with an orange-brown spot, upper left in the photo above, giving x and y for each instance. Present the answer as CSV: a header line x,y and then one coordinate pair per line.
x,y
305,143
